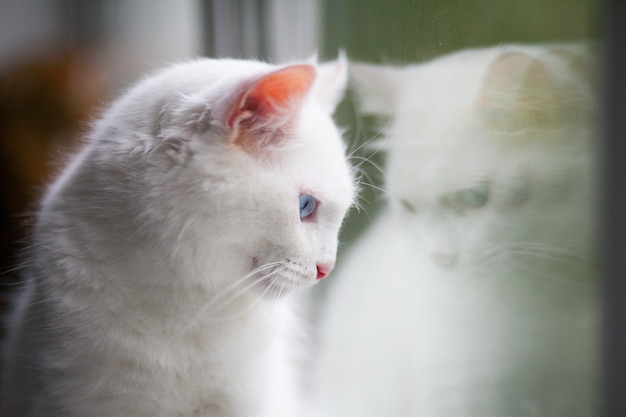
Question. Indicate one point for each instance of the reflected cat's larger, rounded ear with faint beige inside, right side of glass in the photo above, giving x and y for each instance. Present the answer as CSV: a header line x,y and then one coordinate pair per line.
x,y
517,93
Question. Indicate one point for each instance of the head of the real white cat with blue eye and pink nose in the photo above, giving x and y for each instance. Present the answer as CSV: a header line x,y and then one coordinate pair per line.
x,y
237,169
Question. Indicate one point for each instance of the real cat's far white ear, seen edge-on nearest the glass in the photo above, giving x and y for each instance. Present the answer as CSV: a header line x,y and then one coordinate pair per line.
x,y
331,83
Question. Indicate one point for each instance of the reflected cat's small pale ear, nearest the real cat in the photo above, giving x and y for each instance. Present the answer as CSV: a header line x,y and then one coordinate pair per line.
x,y
376,87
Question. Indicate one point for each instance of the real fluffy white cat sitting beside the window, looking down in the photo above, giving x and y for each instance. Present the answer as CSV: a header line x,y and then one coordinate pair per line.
x,y
163,254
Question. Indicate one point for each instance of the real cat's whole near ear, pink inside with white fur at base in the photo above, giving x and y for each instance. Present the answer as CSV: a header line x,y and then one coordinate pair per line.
x,y
266,107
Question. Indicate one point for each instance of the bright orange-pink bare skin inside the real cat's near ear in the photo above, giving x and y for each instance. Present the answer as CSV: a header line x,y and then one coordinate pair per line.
x,y
274,93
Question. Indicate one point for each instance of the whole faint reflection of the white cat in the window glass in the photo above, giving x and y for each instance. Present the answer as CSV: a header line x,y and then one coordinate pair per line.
x,y
473,294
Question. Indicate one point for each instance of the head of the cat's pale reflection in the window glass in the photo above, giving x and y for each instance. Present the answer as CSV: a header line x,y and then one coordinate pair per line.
x,y
490,153
